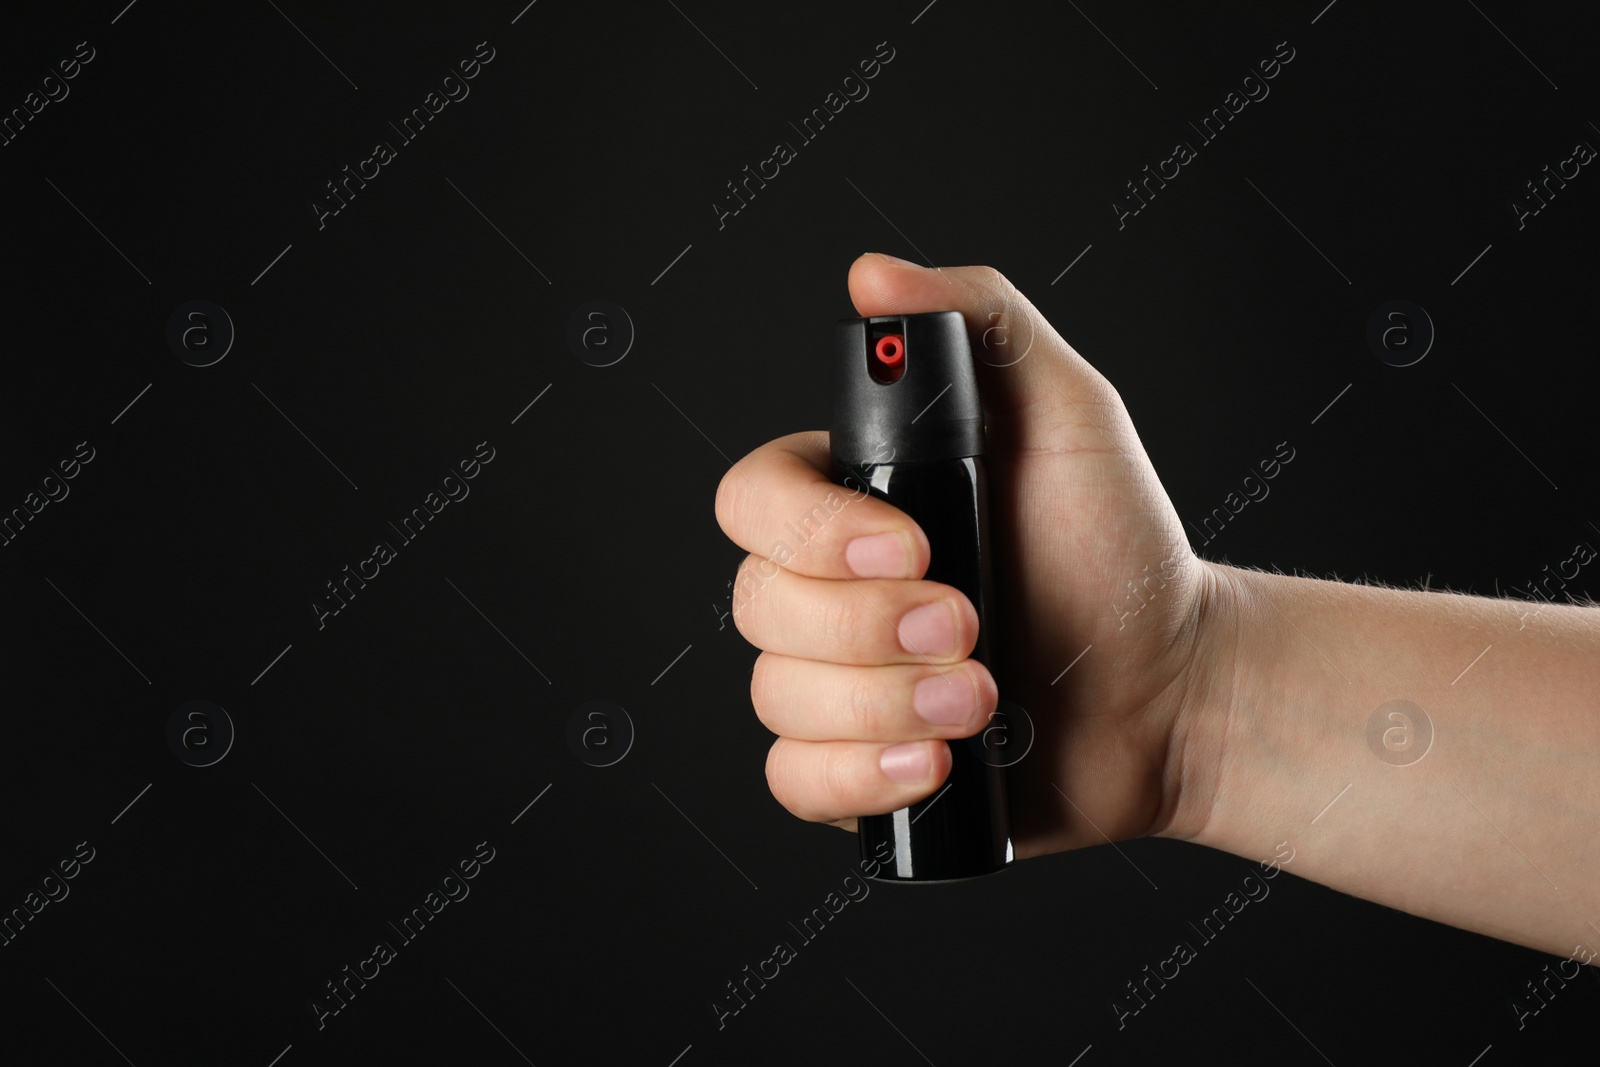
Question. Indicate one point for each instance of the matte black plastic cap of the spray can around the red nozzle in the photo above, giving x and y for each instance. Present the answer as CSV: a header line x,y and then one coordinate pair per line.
x,y
929,412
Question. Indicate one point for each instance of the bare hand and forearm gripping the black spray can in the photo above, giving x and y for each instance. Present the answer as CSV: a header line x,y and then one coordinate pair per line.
x,y
1215,705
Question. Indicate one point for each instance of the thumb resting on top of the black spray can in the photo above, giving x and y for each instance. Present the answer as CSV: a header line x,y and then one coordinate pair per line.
x,y
1046,394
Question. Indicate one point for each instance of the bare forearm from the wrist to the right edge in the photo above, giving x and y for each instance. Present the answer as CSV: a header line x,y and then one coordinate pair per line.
x,y
1495,828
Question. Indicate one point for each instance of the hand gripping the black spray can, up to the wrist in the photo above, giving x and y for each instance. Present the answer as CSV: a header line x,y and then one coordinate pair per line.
x,y
1090,556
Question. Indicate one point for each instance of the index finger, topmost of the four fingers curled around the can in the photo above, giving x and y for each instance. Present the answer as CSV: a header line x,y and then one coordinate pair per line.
x,y
782,503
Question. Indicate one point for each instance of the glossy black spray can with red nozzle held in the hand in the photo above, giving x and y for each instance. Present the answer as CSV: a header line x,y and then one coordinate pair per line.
x,y
908,426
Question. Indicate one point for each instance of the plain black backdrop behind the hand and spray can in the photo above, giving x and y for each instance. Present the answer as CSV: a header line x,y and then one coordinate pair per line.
x,y
586,564
